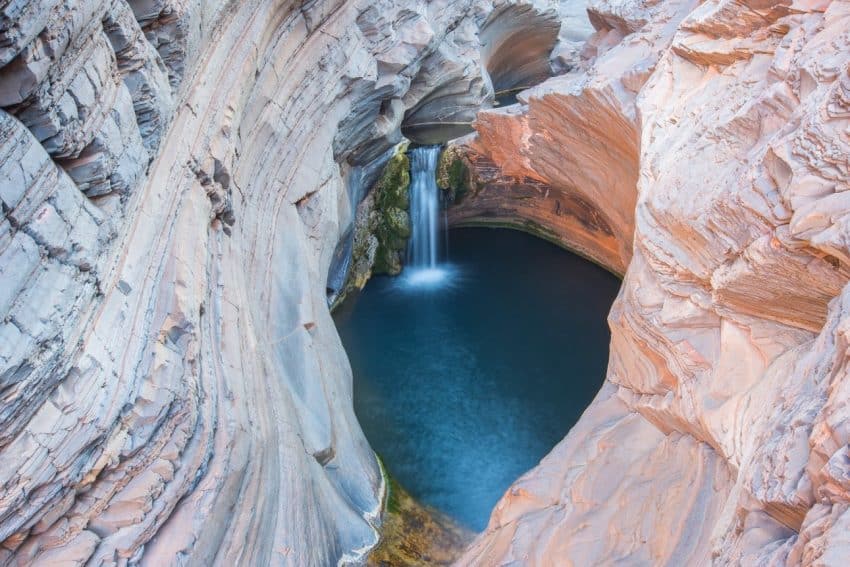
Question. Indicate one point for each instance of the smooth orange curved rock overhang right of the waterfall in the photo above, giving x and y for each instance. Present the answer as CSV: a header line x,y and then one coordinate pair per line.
x,y
572,145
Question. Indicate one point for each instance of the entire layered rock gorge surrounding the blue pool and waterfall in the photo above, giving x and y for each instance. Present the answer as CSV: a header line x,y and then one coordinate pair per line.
x,y
188,186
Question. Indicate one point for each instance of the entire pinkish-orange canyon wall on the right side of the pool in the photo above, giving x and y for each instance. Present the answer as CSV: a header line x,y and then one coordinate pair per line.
x,y
719,133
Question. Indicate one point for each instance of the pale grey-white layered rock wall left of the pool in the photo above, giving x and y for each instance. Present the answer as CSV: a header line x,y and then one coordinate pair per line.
x,y
171,175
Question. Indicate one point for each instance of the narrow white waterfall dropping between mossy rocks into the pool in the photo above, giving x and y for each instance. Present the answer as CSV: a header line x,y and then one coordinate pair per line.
x,y
423,254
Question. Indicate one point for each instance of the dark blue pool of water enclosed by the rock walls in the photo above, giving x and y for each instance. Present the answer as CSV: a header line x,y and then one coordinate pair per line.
x,y
463,382
